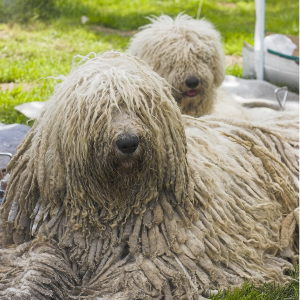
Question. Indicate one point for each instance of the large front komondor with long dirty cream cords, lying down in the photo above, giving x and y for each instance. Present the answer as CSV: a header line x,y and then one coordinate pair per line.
x,y
114,195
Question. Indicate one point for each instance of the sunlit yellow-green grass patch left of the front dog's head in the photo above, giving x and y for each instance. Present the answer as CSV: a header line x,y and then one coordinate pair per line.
x,y
29,54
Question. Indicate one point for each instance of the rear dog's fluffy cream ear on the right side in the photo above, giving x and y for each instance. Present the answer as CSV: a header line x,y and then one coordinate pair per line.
x,y
218,67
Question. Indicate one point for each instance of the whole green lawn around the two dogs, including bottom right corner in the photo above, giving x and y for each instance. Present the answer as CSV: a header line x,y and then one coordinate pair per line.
x,y
39,38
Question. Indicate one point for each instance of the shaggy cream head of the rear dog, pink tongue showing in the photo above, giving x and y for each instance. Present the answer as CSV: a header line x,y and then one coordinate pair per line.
x,y
188,54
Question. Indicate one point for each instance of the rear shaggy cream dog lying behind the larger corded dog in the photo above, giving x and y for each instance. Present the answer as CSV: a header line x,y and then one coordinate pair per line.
x,y
188,54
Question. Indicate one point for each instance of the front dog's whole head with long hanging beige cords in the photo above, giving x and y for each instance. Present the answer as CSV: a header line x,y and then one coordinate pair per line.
x,y
111,136
